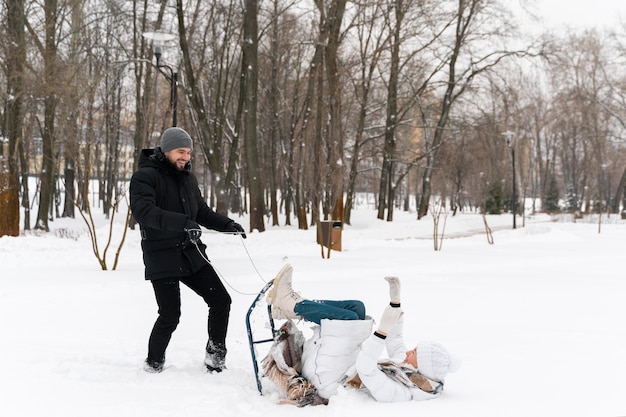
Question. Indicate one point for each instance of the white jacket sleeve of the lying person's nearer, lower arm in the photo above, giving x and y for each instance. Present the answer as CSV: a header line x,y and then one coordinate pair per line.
x,y
380,386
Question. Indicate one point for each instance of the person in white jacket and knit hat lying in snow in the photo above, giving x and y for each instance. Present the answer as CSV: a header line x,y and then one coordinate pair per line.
x,y
344,351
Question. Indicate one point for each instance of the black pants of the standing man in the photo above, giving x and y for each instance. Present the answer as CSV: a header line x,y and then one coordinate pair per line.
x,y
207,285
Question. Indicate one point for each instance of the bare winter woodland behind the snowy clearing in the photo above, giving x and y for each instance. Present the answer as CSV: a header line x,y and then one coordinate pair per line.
x,y
296,106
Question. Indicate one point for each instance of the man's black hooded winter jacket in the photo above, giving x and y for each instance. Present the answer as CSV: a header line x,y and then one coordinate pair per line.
x,y
162,198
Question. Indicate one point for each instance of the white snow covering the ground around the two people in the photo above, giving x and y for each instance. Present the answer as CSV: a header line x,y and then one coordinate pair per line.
x,y
537,318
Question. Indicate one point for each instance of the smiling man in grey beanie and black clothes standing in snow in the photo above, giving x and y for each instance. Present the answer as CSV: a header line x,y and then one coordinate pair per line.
x,y
166,202
